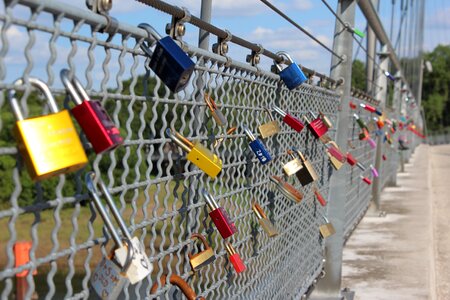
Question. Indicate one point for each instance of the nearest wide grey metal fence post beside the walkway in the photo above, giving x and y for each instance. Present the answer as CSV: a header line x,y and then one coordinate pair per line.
x,y
329,287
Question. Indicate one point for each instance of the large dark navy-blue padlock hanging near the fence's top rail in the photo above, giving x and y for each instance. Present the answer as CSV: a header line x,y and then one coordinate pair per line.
x,y
169,62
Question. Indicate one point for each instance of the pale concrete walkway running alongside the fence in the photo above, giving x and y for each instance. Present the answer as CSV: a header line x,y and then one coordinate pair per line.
x,y
406,254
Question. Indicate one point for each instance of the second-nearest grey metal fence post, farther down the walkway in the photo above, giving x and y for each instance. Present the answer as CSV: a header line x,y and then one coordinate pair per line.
x,y
381,96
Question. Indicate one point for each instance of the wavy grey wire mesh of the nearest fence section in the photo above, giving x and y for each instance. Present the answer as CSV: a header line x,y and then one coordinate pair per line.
x,y
156,189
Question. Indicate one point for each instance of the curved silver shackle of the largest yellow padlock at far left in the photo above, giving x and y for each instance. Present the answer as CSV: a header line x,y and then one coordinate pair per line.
x,y
38,84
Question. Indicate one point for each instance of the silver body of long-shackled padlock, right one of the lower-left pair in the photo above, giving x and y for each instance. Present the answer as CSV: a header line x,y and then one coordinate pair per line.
x,y
140,265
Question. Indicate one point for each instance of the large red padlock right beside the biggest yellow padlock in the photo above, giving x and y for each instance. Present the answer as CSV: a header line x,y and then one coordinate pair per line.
x,y
91,116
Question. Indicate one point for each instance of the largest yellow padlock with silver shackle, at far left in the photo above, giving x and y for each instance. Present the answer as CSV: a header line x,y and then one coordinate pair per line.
x,y
49,144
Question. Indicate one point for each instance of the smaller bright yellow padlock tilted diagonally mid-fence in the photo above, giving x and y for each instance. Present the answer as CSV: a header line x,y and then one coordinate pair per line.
x,y
198,154
